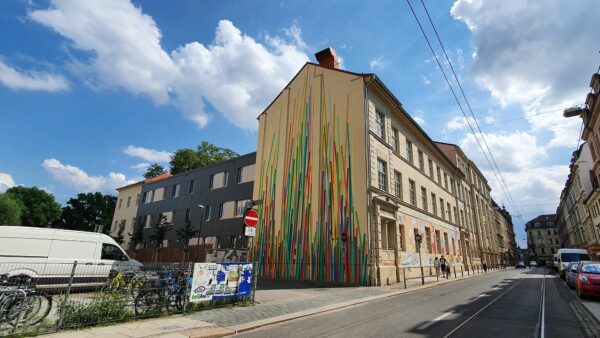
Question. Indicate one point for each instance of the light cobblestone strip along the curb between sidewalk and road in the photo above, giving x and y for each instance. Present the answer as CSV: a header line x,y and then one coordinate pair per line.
x,y
235,316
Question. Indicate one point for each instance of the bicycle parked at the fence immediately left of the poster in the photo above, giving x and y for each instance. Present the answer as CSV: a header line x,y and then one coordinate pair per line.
x,y
167,291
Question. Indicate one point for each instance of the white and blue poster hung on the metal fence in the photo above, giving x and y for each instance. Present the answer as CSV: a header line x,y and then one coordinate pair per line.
x,y
221,280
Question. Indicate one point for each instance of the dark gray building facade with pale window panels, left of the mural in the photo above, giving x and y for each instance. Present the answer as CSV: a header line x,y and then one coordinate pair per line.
x,y
212,199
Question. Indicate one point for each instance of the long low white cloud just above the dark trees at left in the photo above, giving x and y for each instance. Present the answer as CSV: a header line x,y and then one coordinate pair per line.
x,y
79,180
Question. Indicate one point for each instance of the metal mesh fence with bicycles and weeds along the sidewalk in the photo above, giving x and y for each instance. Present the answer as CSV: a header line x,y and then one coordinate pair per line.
x,y
38,298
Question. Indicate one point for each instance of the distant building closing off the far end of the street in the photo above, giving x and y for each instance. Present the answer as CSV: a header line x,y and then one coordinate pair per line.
x,y
543,240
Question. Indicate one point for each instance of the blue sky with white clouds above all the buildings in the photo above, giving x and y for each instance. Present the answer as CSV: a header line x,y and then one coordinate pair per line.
x,y
93,91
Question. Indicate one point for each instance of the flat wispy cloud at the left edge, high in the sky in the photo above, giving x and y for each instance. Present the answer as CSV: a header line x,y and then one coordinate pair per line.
x,y
34,81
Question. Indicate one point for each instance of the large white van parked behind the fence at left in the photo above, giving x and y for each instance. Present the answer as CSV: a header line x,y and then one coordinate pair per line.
x,y
48,256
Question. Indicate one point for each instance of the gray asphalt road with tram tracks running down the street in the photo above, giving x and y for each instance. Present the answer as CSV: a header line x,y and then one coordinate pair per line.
x,y
501,304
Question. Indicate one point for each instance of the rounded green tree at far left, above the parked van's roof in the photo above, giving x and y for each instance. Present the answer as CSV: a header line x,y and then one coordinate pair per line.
x,y
38,208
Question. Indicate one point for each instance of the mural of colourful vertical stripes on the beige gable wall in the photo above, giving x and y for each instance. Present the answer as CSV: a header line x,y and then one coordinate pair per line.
x,y
307,244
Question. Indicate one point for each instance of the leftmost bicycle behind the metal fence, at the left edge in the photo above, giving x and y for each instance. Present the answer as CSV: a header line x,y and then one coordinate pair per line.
x,y
22,304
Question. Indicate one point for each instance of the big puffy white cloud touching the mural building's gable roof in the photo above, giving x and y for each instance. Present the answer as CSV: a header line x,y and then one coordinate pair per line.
x,y
236,75
